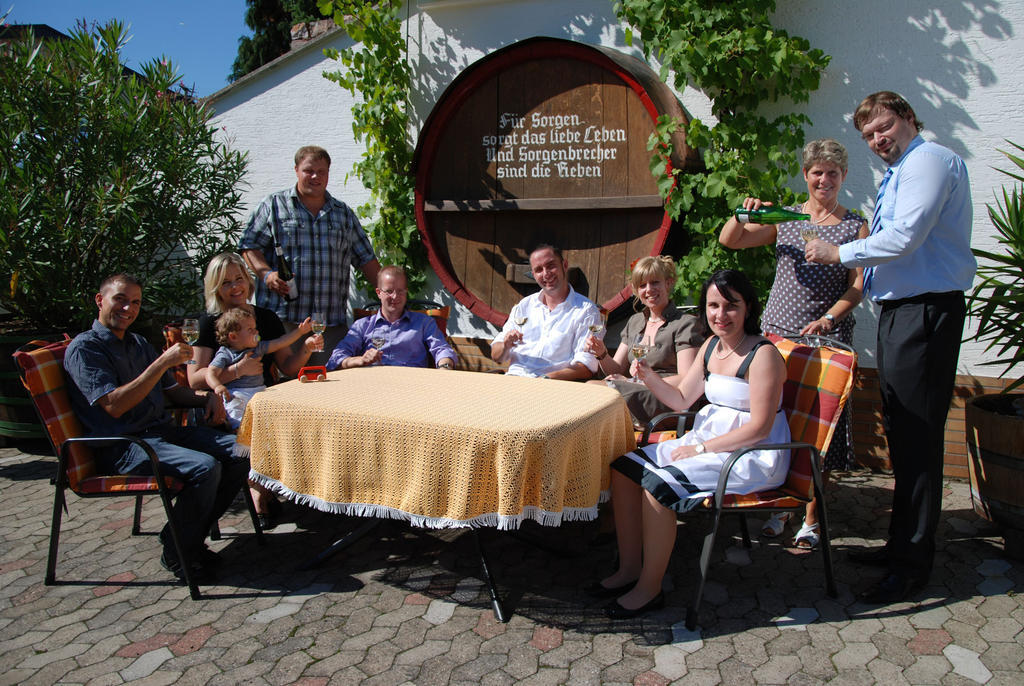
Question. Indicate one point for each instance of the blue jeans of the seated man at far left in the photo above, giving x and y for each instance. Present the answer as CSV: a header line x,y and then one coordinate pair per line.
x,y
203,459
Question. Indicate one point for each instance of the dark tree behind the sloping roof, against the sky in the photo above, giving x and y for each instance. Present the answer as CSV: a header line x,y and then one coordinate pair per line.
x,y
272,22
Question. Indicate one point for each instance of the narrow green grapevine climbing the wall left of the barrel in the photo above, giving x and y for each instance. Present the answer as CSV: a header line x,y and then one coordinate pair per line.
x,y
378,70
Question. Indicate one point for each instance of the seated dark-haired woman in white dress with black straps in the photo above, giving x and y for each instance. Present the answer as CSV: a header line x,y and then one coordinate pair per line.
x,y
742,374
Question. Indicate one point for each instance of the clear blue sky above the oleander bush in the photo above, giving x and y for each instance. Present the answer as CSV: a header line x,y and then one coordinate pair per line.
x,y
200,37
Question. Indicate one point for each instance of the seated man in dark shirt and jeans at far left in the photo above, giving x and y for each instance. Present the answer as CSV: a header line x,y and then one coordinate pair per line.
x,y
118,383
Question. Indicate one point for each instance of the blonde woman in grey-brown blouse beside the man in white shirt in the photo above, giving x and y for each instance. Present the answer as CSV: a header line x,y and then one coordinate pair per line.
x,y
674,335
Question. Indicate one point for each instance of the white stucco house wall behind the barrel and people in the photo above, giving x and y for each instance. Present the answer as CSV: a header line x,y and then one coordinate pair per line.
x,y
957,63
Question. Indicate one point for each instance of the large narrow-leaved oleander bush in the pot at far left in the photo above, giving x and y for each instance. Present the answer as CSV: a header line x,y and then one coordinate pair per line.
x,y
106,171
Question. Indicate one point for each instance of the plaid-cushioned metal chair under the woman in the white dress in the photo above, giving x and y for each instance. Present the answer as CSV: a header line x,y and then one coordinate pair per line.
x,y
820,380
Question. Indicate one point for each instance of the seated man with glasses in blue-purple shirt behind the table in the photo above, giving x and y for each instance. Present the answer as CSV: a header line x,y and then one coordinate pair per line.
x,y
394,336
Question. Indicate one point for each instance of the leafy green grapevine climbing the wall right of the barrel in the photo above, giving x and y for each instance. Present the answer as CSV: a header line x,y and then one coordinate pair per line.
x,y
731,52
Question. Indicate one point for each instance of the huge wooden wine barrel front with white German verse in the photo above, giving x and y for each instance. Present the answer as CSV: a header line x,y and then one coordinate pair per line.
x,y
543,142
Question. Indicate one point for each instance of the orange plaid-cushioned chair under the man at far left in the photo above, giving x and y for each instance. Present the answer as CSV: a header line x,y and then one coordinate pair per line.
x,y
44,376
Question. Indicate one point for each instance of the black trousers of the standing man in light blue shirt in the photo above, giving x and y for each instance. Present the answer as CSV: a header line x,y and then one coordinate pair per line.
x,y
918,349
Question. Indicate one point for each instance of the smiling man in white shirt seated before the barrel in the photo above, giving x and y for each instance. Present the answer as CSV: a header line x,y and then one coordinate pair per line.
x,y
546,333
